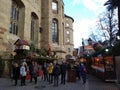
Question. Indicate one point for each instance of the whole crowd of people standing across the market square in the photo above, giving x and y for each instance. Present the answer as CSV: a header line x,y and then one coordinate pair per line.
x,y
52,72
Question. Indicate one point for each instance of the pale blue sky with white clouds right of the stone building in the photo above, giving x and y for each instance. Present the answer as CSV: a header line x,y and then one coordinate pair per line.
x,y
85,14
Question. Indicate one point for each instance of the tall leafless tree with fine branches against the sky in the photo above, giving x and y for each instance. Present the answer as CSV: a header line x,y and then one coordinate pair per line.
x,y
108,24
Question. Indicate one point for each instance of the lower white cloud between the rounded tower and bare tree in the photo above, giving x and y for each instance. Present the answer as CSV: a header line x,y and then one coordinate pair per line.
x,y
81,30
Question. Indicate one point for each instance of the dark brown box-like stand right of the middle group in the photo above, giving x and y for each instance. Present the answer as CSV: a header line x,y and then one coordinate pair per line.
x,y
71,75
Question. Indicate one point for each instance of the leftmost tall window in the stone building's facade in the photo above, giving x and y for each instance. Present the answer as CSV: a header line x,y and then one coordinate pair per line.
x,y
14,18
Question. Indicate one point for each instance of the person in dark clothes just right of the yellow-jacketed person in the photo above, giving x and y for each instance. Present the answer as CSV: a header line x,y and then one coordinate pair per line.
x,y
56,73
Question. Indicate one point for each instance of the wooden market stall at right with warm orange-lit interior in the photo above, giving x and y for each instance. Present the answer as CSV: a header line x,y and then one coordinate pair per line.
x,y
103,67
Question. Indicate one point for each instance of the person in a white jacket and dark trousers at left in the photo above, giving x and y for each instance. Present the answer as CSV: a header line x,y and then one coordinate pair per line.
x,y
23,73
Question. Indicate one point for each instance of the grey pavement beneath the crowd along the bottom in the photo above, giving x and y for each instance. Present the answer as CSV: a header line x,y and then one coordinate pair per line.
x,y
92,83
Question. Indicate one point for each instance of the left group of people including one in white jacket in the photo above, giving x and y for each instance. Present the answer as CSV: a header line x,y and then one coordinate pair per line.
x,y
21,71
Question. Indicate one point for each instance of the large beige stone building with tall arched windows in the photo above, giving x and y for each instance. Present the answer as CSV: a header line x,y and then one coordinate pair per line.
x,y
40,22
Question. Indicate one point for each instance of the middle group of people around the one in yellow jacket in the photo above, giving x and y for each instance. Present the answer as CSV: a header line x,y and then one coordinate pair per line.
x,y
52,71
